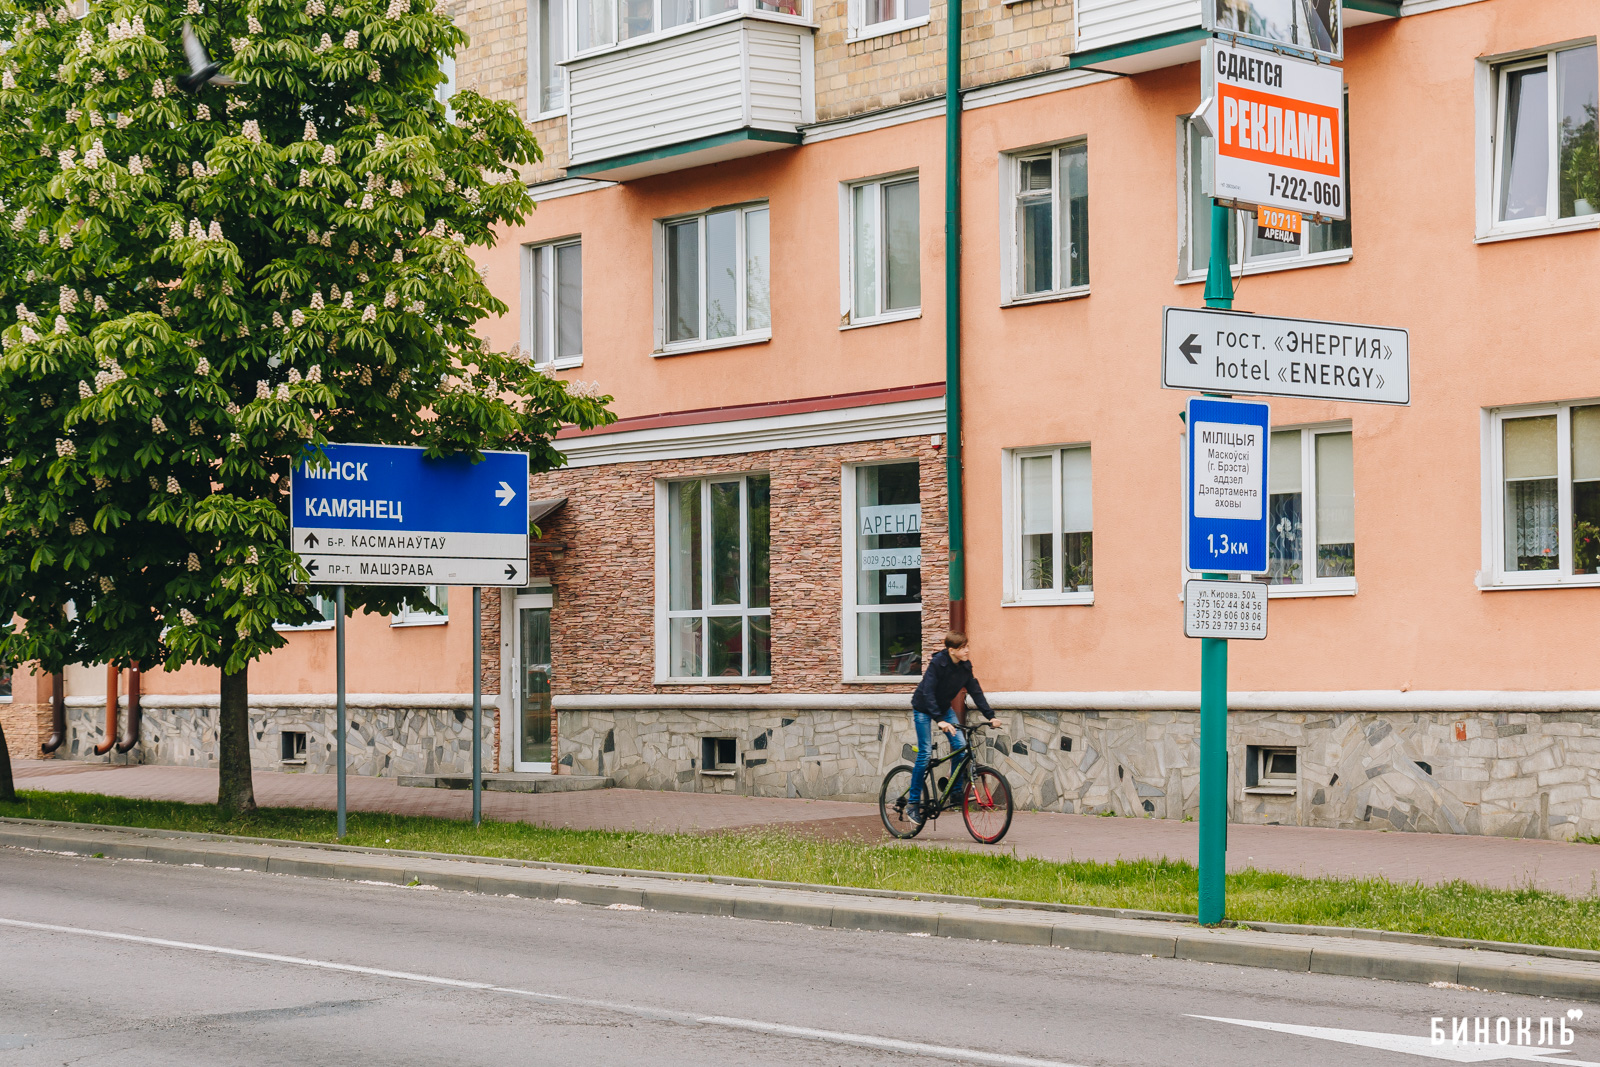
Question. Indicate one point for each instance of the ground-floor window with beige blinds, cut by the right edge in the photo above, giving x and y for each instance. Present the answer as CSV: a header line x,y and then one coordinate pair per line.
x,y
1546,495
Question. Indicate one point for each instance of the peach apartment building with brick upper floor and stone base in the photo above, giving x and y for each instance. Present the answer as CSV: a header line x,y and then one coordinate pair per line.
x,y
742,236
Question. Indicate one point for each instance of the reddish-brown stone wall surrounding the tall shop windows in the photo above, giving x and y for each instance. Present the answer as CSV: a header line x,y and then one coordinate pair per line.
x,y
601,556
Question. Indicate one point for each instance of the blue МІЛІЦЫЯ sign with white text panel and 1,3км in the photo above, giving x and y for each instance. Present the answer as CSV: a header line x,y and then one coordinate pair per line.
x,y
1226,516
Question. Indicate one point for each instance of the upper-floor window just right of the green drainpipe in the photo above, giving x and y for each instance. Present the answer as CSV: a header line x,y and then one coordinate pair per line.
x,y
1052,222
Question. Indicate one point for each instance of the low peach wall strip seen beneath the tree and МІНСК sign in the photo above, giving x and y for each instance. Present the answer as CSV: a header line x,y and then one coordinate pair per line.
x,y
380,658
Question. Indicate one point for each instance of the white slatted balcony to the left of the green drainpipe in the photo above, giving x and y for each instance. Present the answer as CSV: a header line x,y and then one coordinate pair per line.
x,y
734,86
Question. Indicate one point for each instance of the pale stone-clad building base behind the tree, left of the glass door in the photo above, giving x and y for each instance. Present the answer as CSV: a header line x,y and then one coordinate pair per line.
x,y
382,741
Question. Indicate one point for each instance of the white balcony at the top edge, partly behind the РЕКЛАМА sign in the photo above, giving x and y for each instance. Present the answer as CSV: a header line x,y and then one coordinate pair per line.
x,y
1137,36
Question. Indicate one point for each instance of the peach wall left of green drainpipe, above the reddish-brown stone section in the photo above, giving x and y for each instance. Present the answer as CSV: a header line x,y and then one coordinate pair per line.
x,y
809,356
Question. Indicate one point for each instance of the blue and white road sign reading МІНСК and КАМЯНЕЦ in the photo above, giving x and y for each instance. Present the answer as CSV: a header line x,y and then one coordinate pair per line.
x,y
385,516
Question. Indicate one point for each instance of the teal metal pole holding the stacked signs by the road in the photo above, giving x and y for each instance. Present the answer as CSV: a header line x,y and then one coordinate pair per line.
x,y
1214,661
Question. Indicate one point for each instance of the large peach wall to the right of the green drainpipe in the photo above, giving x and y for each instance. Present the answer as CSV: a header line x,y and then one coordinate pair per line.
x,y
1490,326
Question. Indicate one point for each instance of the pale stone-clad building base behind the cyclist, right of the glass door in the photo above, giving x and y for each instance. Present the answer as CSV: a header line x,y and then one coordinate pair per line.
x,y
1506,775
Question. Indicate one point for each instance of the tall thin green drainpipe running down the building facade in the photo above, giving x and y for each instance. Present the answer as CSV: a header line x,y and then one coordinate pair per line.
x,y
953,313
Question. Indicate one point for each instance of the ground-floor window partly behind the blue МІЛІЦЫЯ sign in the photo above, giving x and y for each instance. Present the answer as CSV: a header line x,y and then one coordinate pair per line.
x,y
1311,498
